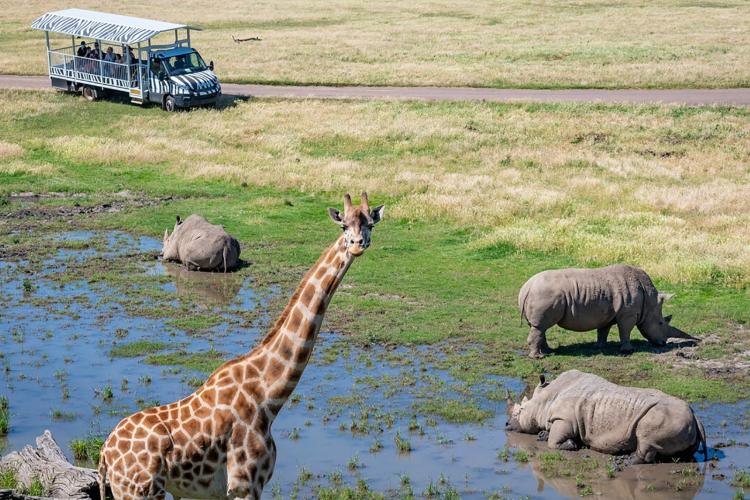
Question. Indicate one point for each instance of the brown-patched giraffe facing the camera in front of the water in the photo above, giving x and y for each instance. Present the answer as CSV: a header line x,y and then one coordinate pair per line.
x,y
217,443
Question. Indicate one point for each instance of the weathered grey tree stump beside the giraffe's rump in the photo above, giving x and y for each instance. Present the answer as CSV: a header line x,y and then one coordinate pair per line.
x,y
46,462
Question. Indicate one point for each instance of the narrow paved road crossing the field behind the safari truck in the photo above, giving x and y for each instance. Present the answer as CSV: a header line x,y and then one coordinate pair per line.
x,y
728,97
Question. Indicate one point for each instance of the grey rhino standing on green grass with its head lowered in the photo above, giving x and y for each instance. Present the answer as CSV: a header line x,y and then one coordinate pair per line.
x,y
595,299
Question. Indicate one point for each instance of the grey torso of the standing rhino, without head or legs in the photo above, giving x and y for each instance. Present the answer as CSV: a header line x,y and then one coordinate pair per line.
x,y
583,299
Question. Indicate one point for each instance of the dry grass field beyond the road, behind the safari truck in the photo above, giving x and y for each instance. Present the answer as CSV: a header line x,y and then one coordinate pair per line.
x,y
519,43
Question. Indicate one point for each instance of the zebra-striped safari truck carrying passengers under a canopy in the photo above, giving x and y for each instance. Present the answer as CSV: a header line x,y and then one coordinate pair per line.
x,y
171,74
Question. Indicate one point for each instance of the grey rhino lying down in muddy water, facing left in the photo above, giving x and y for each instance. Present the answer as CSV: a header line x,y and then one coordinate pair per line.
x,y
582,408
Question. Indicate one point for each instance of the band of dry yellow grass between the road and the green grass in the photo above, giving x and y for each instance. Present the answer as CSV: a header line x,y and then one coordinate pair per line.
x,y
667,188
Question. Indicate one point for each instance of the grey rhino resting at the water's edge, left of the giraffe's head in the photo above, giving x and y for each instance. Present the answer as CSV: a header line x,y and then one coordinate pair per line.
x,y
201,246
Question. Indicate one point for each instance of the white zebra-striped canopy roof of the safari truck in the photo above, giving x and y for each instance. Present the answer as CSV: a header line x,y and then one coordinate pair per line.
x,y
103,26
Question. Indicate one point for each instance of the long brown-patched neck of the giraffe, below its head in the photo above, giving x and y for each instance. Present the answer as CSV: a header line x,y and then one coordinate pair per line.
x,y
288,346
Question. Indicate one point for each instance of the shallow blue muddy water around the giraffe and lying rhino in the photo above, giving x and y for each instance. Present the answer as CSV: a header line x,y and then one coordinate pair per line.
x,y
58,325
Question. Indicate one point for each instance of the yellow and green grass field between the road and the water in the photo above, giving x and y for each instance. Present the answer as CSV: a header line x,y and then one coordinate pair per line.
x,y
479,197
